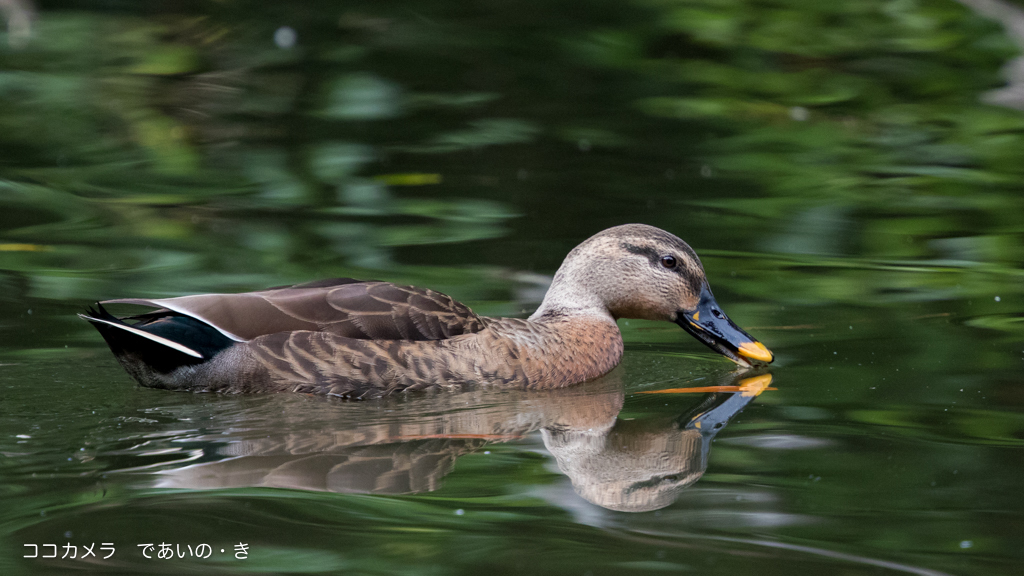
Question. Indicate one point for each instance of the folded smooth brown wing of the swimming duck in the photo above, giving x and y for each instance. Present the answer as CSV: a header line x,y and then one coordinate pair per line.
x,y
377,311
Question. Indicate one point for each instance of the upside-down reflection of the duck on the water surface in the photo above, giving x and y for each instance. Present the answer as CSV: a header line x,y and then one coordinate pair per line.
x,y
410,445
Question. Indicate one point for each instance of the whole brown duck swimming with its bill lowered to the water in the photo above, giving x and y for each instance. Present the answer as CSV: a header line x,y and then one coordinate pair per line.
x,y
361,340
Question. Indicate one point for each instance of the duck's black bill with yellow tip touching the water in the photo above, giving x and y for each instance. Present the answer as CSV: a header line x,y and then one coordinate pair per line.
x,y
710,325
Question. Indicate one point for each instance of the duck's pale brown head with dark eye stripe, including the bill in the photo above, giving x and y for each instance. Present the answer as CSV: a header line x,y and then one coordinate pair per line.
x,y
638,271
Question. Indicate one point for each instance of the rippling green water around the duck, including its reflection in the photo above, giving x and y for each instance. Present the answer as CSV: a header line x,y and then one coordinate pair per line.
x,y
848,173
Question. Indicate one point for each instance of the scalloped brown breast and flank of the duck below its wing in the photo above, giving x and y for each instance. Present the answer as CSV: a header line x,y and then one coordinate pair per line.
x,y
508,352
